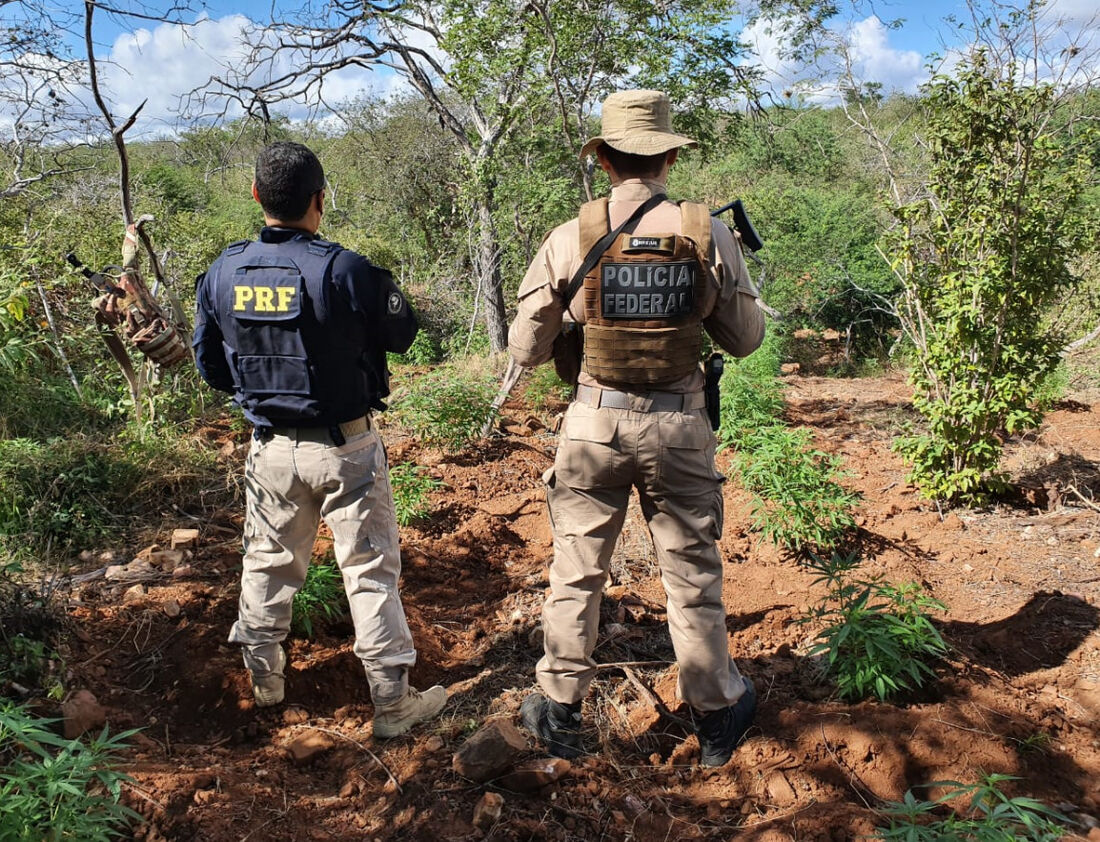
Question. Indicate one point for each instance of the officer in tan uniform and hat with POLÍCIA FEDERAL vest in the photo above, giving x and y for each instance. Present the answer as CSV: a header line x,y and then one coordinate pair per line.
x,y
639,421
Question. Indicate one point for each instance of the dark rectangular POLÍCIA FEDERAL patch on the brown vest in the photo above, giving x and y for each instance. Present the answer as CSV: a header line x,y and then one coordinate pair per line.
x,y
663,291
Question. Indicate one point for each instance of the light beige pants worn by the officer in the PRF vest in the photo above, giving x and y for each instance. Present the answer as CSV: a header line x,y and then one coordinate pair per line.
x,y
293,479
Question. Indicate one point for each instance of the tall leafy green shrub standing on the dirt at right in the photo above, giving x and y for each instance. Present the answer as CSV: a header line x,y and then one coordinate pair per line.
x,y
982,260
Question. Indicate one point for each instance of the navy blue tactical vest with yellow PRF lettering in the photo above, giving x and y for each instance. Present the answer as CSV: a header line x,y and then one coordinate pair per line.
x,y
300,355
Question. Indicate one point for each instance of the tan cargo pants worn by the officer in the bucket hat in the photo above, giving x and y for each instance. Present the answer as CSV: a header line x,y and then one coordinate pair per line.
x,y
669,457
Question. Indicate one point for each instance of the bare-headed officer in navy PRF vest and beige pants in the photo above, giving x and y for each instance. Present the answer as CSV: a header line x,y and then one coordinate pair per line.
x,y
298,331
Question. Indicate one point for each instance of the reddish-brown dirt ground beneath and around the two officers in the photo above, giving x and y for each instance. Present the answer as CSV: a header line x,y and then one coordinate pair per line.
x,y
1020,694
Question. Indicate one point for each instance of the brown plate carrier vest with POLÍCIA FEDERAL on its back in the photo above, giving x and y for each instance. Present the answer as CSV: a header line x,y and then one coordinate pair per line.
x,y
644,299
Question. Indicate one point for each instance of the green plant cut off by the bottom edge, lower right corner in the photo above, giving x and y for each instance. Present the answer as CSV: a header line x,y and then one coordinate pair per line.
x,y
991,816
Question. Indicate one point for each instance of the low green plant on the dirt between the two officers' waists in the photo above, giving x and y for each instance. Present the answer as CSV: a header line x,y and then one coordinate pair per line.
x,y
447,408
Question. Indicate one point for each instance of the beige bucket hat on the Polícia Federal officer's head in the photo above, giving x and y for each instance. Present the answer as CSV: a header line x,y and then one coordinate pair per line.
x,y
637,123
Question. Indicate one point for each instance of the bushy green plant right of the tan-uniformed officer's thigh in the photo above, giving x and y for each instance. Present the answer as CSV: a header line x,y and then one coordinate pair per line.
x,y
798,499
